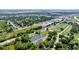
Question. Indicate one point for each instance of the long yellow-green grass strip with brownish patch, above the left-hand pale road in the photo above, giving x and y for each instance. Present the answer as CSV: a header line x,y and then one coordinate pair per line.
x,y
12,34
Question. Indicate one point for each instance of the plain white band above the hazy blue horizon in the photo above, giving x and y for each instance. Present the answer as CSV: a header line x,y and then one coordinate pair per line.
x,y
39,4
